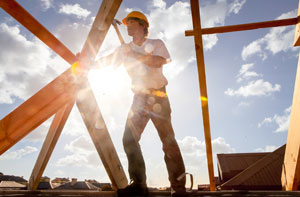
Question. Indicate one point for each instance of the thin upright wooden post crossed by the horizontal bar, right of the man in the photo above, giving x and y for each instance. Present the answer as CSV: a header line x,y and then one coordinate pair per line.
x,y
203,89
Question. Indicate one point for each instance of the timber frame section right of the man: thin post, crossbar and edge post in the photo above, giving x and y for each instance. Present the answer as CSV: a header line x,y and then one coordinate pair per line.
x,y
291,166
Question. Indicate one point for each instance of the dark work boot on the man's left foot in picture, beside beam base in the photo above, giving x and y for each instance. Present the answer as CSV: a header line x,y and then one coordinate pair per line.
x,y
134,189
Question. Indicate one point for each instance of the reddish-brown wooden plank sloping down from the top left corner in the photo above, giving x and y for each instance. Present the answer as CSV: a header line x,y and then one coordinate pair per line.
x,y
28,21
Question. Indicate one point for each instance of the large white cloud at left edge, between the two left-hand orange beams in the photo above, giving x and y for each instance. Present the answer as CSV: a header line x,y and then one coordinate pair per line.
x,y
26,65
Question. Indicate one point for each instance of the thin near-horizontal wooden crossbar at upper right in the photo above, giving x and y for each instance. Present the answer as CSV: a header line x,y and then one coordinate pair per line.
x,y
245,27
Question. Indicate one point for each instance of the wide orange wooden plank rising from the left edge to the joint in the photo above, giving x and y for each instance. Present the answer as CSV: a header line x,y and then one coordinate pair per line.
x,y
36,110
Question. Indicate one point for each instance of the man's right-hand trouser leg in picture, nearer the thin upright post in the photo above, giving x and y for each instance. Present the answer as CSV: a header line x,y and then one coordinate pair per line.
x,y
160,115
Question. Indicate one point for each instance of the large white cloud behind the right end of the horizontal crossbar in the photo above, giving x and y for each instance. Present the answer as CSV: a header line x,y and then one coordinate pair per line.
x,y
279,39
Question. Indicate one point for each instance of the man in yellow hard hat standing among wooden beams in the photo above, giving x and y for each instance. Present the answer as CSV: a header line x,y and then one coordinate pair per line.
x,y
144,59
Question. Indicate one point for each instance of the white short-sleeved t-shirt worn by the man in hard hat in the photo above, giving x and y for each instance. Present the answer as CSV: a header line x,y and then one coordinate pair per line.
x,y
142,76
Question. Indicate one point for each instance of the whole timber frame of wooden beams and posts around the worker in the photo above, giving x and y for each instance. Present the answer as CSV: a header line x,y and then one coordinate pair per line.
x,y
59,96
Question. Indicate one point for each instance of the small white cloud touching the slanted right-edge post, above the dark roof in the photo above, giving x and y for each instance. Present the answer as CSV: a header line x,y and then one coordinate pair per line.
x,y
282,121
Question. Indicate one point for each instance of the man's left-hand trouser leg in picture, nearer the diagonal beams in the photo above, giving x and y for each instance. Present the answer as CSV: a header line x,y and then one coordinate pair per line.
x,y
135,124
